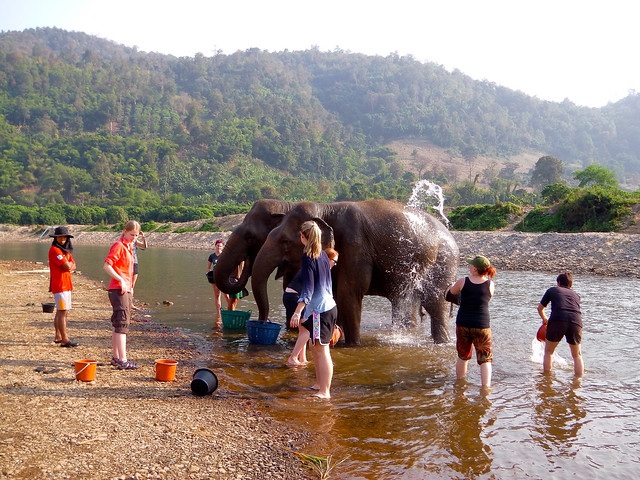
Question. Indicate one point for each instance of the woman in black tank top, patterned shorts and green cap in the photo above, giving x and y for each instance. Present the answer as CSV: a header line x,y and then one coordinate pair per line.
x,y
473,321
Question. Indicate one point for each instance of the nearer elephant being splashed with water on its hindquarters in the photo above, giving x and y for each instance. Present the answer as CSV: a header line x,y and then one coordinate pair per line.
x,y
386,249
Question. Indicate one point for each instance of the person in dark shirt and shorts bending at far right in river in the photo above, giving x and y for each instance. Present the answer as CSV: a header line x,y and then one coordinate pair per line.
x,y
565,321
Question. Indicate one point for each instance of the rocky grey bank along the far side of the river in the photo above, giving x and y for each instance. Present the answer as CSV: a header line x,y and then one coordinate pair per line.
x,y
608,254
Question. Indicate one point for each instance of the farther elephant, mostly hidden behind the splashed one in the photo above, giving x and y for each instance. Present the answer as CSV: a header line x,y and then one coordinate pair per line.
x,y
245,241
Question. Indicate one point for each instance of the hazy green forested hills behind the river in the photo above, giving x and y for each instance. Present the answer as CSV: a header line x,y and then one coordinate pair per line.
x,y
84,120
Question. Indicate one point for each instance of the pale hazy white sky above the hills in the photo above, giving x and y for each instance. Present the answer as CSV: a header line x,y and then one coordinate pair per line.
x,y
584,50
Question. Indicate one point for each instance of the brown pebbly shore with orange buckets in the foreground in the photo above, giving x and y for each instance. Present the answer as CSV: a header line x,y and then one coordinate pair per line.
x,y
125,424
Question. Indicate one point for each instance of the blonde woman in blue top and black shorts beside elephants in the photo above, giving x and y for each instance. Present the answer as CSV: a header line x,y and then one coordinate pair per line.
x,y
317,302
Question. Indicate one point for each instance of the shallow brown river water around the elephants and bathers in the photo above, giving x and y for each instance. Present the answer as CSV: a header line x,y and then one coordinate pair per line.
x,y
396,409
